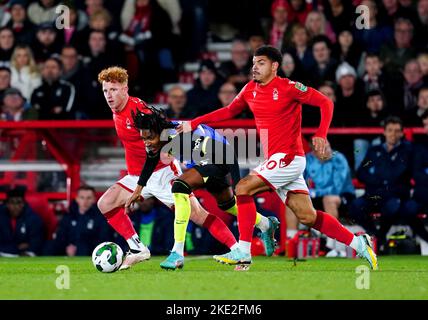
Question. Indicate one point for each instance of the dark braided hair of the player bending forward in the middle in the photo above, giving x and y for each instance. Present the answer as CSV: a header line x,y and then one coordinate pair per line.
x,y
151,119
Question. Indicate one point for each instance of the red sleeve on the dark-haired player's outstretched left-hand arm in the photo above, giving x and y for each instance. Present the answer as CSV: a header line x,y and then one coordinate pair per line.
x,y
234,108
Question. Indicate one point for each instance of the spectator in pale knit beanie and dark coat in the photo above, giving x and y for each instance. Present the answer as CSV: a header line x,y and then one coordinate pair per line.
x,y
349,96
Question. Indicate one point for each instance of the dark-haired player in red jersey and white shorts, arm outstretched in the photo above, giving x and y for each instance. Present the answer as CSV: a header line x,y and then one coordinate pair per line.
x,y
276,105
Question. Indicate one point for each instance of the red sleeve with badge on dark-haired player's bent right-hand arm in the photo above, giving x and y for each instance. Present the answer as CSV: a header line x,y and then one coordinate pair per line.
x,y
312,97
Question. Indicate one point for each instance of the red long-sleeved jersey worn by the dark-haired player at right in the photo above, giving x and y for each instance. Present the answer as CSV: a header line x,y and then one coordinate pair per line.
x,y
277,109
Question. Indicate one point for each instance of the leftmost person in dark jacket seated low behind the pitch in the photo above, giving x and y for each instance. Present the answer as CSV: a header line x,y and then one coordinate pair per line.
x,y
21,229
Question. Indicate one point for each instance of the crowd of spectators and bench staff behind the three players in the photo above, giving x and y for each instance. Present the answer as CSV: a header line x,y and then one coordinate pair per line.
x,y
377,76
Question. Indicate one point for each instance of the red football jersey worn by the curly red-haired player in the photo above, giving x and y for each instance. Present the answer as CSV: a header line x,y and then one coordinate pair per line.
x,y
135,149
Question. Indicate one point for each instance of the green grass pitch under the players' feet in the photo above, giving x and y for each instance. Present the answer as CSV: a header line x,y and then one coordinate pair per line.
x,y
399,277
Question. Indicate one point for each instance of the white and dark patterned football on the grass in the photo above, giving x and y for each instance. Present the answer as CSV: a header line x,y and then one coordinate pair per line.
x,y
107,257
